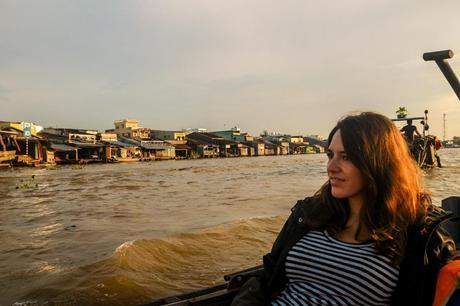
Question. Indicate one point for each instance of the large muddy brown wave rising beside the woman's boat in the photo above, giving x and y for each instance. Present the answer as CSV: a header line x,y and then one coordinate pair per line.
x,y
143,270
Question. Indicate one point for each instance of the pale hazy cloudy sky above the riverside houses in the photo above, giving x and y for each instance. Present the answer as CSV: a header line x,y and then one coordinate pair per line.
x,y
291,66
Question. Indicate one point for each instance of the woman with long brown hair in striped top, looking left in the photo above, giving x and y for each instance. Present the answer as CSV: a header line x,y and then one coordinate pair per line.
x,y
369,236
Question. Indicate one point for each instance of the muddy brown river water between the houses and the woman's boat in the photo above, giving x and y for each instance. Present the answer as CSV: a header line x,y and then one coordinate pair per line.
x,y
126,234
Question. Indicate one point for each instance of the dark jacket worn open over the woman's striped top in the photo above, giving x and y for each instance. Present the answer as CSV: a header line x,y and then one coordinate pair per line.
x,y
427,250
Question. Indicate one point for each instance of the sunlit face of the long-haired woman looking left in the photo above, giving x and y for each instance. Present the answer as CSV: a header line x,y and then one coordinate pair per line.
x,y
346,180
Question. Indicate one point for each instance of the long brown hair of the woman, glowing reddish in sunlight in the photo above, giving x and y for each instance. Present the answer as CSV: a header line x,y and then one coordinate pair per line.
x,y
395,195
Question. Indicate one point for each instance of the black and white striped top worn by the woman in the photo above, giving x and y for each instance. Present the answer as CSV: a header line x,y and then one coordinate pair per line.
x,y
322,270
